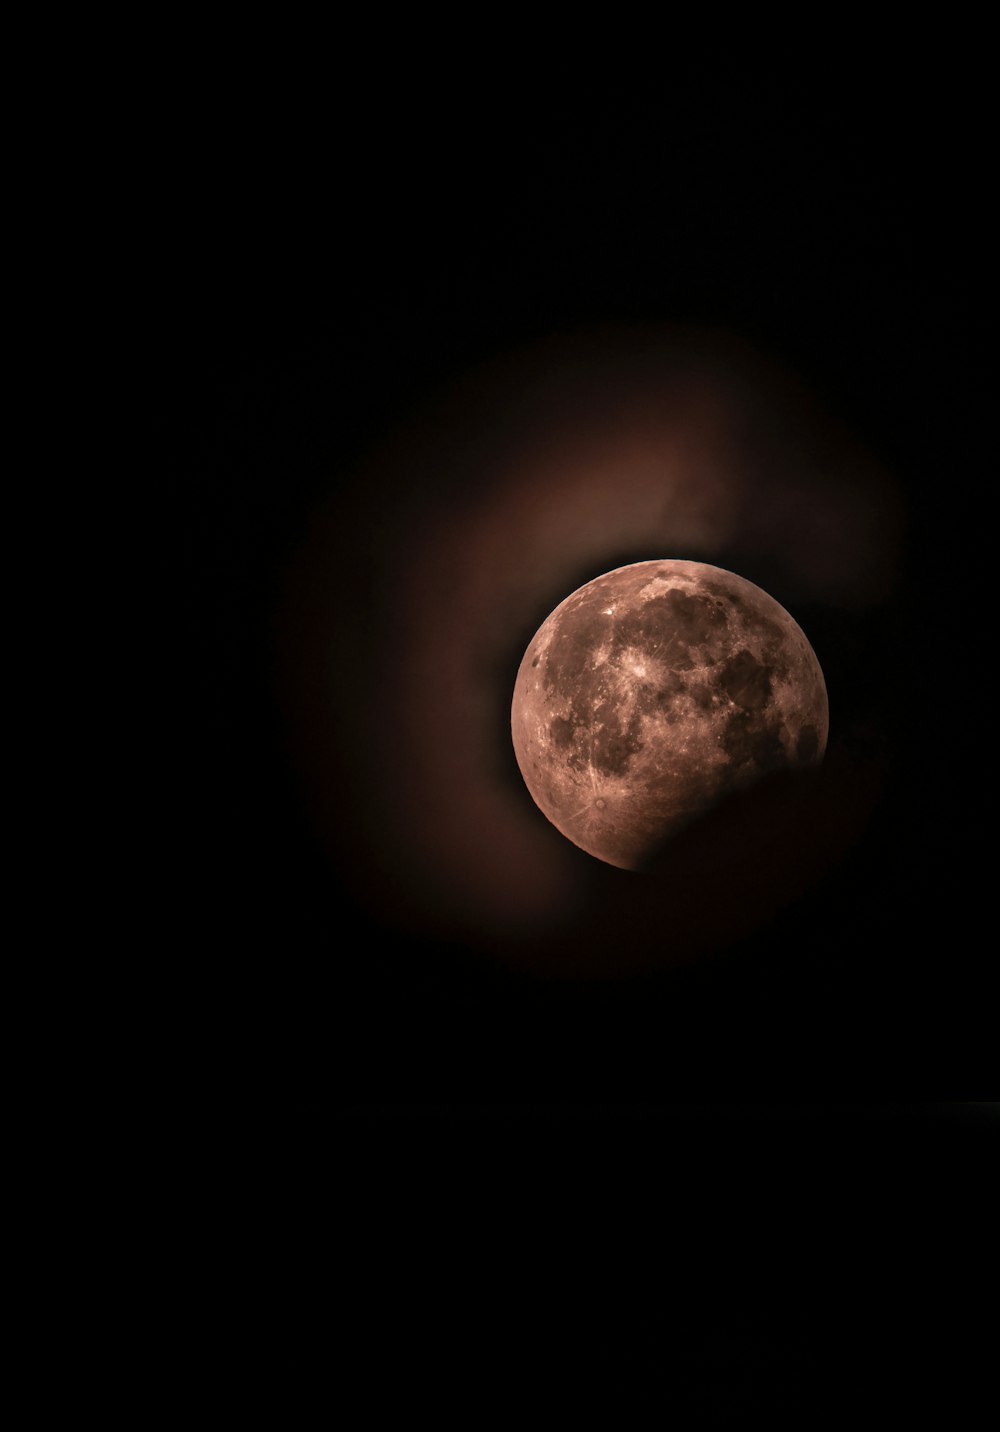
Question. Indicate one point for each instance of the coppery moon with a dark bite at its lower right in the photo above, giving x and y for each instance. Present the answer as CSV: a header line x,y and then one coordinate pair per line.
x,y
654,692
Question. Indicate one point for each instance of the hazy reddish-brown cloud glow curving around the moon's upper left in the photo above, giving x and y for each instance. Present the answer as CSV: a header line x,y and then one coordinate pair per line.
x,y
422,584
